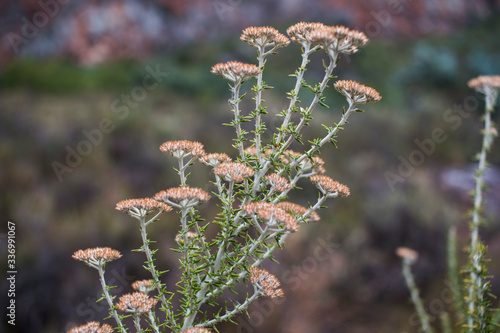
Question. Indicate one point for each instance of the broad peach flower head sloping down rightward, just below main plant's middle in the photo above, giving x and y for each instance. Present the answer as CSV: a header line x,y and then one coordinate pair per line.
x,y
272,215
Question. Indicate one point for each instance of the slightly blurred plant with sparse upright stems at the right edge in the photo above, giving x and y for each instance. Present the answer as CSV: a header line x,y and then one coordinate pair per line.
x,y
473,307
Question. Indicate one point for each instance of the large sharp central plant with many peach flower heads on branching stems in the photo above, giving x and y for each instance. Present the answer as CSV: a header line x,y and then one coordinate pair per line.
x,y
254,219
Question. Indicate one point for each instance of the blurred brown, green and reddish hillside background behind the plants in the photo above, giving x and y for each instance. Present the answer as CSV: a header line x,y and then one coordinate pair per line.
x,y
90,89
